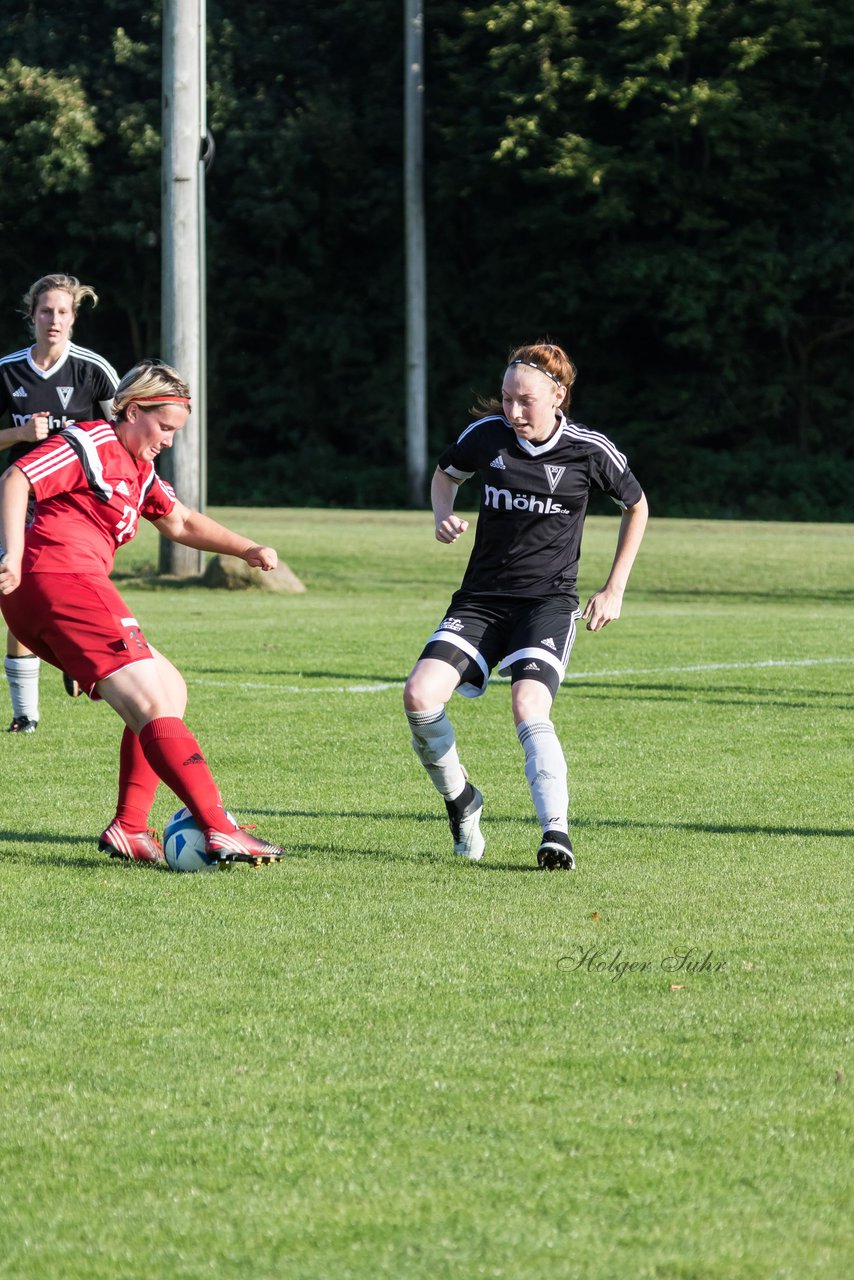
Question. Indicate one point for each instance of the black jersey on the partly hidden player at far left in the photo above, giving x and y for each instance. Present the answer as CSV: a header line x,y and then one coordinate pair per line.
x,y
79,388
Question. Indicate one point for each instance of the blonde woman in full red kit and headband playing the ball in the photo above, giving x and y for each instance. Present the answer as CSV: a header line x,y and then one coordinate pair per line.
x,y
92,483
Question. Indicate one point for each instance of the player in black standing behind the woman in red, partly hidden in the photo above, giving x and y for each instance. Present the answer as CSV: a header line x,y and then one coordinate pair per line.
x,y
44,388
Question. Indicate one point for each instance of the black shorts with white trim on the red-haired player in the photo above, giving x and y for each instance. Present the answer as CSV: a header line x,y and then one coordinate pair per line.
x,y
531,639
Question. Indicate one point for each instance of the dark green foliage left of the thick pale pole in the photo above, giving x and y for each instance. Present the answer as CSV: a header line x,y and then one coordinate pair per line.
x,y
90,204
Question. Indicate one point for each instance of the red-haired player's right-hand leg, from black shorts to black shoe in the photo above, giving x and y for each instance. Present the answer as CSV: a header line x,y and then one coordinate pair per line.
x,y
542,646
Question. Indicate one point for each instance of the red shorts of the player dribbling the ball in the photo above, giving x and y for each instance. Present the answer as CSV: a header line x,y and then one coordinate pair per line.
x,y
77,623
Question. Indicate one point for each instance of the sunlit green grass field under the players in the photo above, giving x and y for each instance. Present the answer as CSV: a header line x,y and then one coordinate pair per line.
x,y
373,1060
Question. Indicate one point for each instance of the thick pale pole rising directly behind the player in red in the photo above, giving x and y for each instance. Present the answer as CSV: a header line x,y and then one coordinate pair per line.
x,y
184,254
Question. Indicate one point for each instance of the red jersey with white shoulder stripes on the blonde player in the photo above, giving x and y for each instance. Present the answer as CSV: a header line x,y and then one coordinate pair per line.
x,y
90,495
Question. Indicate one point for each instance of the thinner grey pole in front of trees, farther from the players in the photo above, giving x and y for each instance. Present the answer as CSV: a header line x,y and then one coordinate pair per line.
x,y
415,255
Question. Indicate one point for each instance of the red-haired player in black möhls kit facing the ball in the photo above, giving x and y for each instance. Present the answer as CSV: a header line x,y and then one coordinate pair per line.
x,y
518,605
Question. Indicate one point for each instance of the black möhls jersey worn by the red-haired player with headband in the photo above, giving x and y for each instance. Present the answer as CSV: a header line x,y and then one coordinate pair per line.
x,y
533,501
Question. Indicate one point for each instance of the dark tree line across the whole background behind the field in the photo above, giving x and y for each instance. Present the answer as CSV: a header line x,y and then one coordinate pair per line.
x,y
665,189
